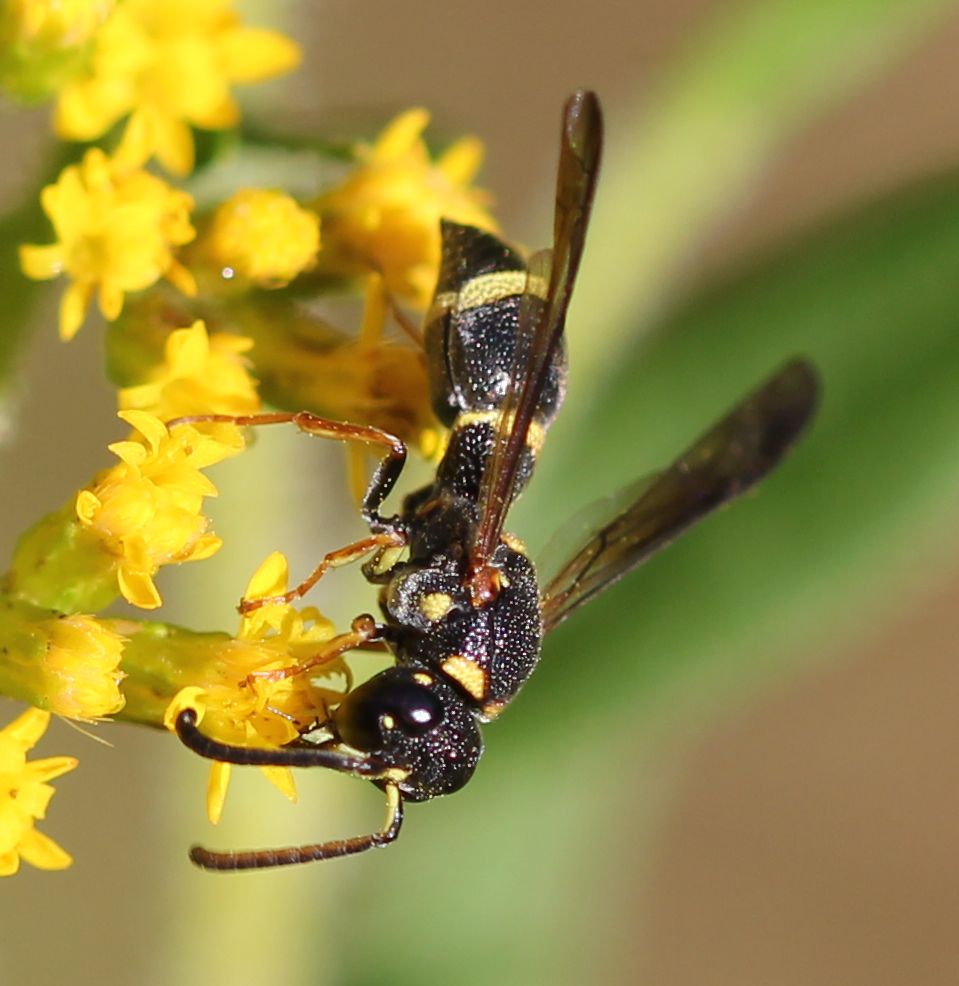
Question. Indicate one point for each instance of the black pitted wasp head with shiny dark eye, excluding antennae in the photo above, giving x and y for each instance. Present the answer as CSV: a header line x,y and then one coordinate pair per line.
x,y
413,722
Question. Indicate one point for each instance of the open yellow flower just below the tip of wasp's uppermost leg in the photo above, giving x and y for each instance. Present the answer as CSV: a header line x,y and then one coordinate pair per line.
x,y
147,509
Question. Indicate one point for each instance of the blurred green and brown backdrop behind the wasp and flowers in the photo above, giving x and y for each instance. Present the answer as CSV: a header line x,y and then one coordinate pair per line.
x,y
738,765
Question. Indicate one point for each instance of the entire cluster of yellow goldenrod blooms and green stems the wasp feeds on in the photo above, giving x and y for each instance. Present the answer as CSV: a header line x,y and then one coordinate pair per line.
x,y
209,307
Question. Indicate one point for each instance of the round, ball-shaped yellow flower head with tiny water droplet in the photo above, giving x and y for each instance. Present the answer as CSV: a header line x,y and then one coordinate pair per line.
x,y
265,236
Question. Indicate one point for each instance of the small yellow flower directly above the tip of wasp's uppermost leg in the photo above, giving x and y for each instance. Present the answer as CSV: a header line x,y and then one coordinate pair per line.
x,y
201,374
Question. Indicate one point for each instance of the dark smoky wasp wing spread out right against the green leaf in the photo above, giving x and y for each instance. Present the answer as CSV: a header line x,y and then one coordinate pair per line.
x,y
729,459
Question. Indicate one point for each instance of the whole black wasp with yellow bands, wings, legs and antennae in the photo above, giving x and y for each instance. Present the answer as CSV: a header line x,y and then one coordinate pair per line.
x,y
463,613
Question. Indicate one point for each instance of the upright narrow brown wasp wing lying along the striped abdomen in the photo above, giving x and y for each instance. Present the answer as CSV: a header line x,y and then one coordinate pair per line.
x,y
543,314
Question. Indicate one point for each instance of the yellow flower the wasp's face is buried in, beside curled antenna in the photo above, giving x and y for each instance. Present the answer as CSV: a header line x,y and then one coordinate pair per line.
x,y
242,703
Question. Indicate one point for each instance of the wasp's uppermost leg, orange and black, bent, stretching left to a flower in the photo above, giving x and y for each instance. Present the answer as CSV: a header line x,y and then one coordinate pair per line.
x,y
384,476
